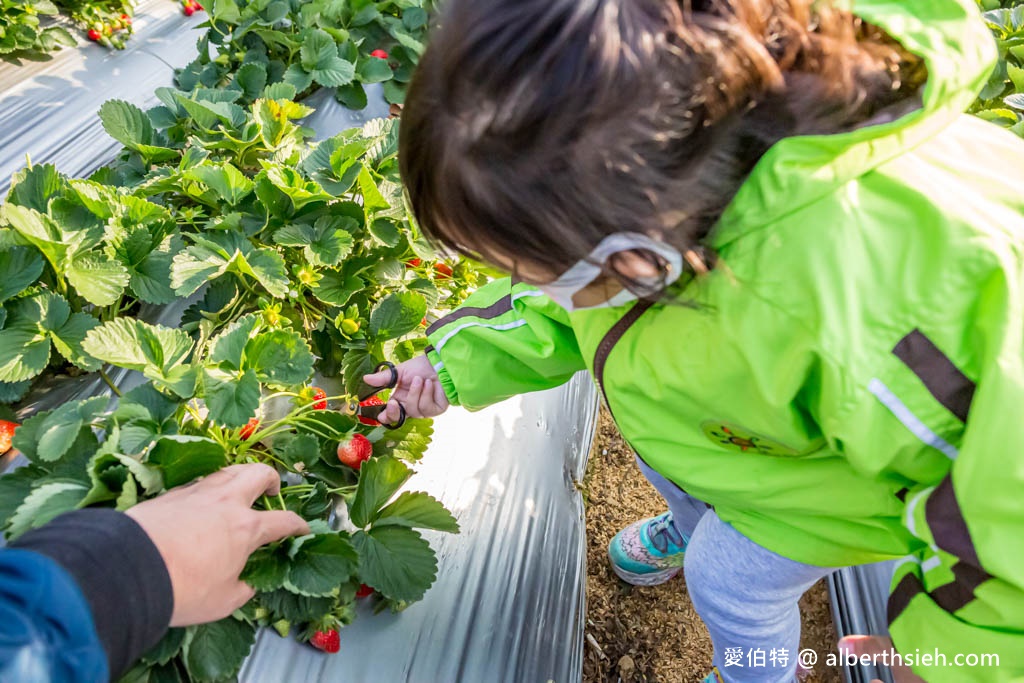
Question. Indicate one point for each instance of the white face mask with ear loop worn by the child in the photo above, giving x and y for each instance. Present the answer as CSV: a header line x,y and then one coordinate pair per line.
x,y
586,272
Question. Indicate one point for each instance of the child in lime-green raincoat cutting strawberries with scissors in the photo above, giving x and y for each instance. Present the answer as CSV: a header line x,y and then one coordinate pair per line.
x,y
795,274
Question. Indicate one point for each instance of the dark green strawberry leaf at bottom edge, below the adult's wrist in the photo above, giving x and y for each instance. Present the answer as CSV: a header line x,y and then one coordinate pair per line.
x,y
216,652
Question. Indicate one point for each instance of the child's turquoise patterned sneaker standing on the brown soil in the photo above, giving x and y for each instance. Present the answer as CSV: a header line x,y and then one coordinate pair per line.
x,y
649,552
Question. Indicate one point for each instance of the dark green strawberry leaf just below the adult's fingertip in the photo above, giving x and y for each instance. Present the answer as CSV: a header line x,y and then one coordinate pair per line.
x,y
320,564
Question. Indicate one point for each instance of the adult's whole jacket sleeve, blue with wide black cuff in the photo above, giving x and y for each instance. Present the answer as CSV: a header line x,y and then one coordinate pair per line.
x,y
122,584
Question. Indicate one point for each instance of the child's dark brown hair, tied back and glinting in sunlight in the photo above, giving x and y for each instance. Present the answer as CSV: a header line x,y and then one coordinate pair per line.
x,y
535,129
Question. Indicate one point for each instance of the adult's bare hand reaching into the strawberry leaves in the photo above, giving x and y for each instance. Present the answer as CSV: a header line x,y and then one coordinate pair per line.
x,y
206,532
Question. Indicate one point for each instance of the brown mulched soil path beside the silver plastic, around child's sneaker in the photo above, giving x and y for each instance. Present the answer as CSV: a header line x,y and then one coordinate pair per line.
x,y
653,634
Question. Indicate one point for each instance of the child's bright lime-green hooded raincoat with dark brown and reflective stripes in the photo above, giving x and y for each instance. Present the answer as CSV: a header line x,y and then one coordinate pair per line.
x,y
851,388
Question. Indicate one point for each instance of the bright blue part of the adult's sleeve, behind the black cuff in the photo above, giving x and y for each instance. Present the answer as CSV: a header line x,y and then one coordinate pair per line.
x,y
47,629
